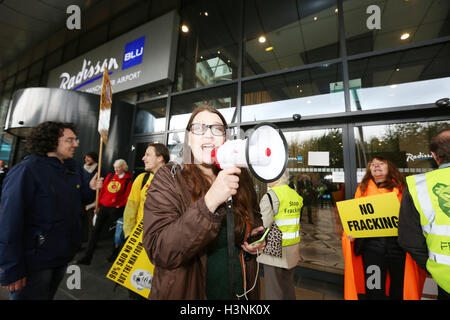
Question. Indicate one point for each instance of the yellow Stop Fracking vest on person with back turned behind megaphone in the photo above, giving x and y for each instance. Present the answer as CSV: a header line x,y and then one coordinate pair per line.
x,y
288,215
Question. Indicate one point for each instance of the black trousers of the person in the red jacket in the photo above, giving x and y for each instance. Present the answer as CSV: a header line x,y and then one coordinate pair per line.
x,y
106,217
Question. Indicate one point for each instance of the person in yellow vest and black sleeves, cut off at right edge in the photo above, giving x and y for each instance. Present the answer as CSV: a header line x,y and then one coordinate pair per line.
x,y
424,220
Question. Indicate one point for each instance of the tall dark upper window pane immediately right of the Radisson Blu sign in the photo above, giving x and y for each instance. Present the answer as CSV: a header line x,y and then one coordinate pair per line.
x,y
208,46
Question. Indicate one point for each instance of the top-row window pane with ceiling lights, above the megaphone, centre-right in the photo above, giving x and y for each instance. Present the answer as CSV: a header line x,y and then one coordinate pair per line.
x,y
284,34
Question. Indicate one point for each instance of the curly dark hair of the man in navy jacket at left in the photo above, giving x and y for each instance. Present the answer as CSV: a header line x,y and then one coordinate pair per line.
x,y
44,137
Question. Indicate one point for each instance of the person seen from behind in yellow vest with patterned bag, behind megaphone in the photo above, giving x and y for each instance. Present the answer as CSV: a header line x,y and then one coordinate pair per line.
x,y
280,210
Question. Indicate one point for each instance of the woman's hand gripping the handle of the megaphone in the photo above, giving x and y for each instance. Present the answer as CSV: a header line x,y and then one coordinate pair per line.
x,y
224,186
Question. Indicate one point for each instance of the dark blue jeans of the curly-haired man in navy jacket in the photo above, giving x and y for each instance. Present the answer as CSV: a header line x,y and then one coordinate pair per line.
x,y
40,285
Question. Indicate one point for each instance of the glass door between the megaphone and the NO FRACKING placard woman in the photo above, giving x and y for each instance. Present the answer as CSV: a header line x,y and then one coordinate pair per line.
x,y
316,167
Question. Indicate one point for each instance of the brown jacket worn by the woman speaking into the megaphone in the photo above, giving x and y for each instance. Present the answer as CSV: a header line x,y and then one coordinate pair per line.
x,y
176,235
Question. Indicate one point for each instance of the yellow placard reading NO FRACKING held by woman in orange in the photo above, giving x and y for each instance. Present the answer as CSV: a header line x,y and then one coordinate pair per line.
x,y
374,216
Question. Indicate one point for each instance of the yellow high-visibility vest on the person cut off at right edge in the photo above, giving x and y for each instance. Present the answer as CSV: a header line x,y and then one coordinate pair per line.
x,y
431,196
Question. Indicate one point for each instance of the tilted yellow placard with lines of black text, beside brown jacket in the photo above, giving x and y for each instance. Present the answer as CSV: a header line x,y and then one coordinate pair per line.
x,y
132,268
